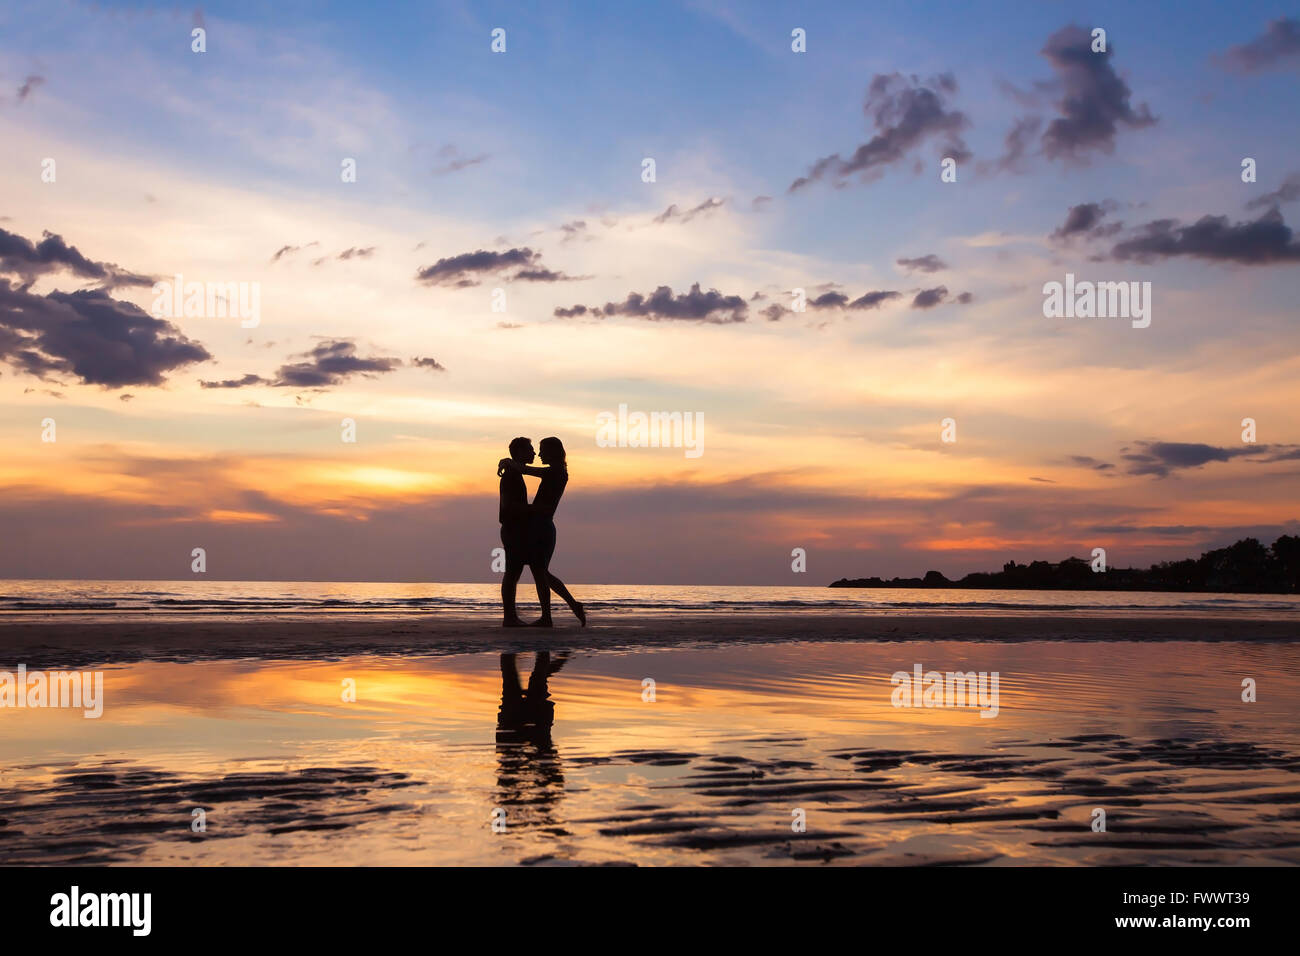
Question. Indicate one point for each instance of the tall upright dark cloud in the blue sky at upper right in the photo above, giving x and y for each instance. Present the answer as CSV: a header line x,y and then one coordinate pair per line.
x,y
1094,102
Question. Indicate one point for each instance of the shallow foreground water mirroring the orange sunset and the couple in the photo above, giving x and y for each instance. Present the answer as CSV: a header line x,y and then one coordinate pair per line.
x,y
586,771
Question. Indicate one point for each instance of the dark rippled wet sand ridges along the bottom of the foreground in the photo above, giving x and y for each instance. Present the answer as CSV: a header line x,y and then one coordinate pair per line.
x,y
1169,802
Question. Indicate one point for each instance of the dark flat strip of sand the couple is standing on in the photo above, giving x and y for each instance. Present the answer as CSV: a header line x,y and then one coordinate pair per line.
x,y
79,642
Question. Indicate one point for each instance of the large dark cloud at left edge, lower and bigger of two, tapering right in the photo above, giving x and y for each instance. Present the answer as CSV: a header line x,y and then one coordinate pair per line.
x,y
92,336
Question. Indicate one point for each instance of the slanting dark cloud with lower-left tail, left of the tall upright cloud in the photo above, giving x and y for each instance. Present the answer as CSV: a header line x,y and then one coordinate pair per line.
x,y
905,114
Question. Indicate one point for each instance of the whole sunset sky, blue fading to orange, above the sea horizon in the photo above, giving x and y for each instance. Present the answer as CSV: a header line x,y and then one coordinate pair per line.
x,y
523,172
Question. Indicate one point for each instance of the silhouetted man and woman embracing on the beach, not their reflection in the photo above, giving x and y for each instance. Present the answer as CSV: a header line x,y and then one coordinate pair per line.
x,y
528,531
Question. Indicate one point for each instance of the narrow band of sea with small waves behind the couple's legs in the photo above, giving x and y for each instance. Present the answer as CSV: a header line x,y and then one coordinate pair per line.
x,y
298,598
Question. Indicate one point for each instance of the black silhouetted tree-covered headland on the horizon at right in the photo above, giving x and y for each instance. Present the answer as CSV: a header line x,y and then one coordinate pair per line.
x,y
1247,568
